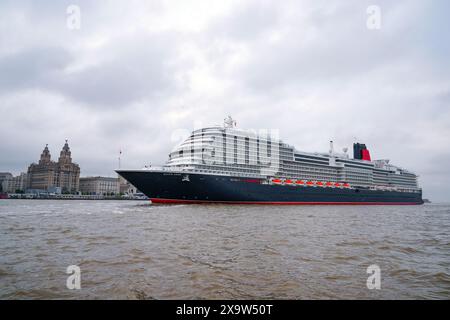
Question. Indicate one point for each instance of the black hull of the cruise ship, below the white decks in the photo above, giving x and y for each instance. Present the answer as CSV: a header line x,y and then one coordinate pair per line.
x,y
169,187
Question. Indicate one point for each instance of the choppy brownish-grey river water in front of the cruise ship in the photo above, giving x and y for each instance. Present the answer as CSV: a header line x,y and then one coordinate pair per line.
x,y
129,250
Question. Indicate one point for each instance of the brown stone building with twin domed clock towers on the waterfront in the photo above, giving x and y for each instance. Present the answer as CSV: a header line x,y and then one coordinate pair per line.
x,y
48,174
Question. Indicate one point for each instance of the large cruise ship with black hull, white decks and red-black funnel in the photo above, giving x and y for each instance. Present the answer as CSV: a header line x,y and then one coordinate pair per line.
x,y
224,164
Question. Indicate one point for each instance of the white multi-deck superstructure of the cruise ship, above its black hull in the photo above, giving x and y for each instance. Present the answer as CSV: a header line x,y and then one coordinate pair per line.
x,y
227,150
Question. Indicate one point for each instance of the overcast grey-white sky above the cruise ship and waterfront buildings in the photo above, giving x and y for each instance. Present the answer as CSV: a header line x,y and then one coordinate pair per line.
x,y
138,75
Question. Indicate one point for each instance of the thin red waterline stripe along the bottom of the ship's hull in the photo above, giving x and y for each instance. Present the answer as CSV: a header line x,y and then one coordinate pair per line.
x,y
182,201
